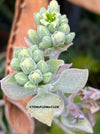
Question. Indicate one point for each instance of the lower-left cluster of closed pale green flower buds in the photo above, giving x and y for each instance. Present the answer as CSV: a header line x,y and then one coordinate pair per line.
x,y
31,68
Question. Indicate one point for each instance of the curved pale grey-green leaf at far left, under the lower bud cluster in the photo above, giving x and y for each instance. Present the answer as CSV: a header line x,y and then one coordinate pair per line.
x,y
13,90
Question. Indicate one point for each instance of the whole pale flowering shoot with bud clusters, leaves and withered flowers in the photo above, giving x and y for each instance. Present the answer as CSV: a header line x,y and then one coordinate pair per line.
x,y
52,82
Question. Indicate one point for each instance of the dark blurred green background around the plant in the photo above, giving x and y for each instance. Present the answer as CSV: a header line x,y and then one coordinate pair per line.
x,y
85,53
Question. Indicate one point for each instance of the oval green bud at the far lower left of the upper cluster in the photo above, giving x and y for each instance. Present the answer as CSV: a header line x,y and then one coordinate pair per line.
x,y
33,36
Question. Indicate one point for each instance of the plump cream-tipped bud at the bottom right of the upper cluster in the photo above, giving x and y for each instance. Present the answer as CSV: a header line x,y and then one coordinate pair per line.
x,y
58,38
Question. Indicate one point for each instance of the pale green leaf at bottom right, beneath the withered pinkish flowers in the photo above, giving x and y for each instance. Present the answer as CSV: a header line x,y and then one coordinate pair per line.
x,y
80,125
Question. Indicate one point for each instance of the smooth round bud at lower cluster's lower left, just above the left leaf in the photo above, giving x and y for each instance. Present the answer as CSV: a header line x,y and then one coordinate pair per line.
x,y
21,78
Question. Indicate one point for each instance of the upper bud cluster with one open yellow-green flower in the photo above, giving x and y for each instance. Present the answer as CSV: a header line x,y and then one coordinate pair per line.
x,y
53,29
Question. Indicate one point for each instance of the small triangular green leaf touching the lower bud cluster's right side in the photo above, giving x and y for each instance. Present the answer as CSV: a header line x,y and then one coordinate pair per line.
x,y
54,65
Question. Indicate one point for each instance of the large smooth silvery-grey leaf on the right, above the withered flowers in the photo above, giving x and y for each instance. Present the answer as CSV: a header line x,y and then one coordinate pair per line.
x,y
71,80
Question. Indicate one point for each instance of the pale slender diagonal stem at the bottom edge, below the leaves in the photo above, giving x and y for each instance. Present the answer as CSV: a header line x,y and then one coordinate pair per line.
x,y
65,129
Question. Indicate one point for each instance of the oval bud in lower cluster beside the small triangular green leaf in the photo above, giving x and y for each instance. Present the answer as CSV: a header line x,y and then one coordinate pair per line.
x,y
42,66
